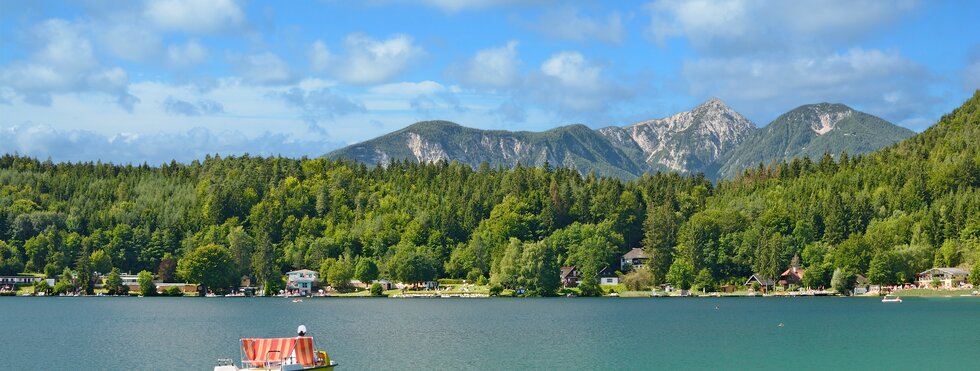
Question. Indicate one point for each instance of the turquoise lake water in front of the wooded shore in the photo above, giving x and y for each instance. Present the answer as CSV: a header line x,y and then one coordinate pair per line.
x,y
498,334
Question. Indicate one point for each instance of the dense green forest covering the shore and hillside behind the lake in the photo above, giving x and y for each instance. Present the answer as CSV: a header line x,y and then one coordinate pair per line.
x,y
885,215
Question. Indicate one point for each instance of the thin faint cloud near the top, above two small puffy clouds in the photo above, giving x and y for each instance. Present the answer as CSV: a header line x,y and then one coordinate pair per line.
x,y
567,24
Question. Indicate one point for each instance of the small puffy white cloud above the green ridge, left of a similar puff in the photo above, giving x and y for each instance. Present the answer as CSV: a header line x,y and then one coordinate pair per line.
x,y
490,68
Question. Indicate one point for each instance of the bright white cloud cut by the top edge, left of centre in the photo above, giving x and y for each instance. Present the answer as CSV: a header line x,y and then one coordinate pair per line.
x,y
196,16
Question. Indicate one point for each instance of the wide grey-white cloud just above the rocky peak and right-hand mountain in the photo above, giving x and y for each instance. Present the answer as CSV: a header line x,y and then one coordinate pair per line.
x,y
883,83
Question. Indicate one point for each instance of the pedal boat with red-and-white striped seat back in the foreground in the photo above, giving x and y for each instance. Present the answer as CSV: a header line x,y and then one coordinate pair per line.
x,y
282,354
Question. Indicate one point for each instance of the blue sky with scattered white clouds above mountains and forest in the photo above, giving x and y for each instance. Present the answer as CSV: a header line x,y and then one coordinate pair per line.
x,y
135,81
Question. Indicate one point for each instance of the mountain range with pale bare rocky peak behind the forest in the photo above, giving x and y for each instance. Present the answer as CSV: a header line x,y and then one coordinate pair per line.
x,y
712,138
